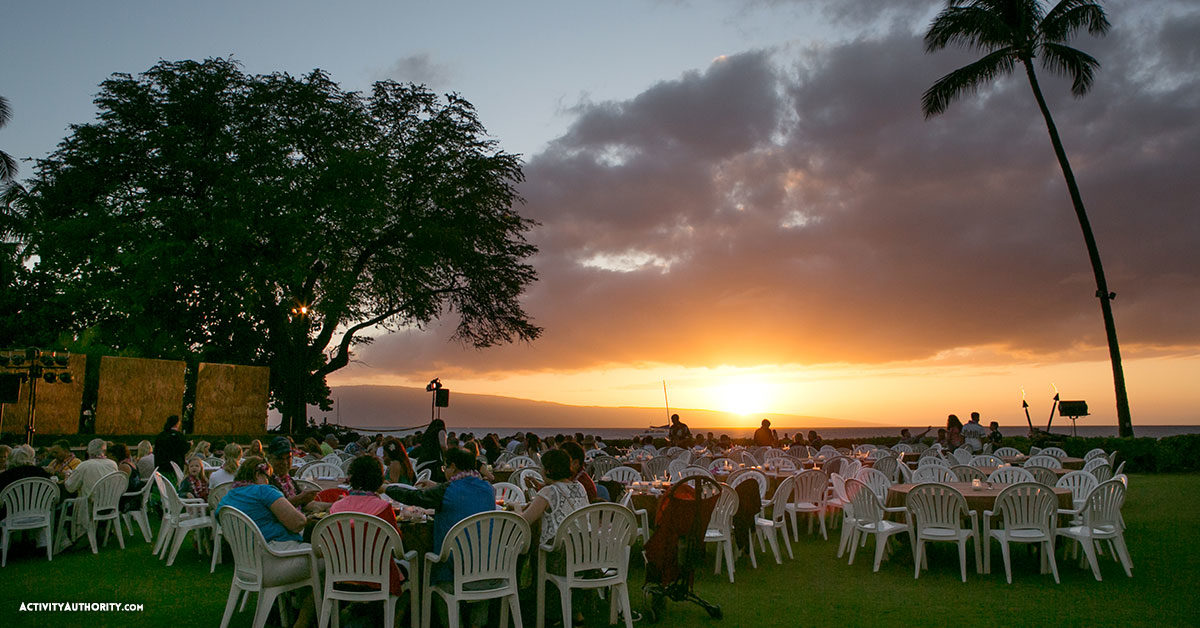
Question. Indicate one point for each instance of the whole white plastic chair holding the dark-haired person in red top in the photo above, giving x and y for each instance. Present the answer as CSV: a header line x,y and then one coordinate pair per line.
x,y
359,548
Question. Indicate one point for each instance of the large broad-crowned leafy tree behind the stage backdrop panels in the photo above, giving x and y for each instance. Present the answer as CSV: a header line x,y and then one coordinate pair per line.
x,y
214,216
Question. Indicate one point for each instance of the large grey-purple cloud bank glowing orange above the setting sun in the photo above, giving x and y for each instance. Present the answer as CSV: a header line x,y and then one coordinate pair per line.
x,y
802,211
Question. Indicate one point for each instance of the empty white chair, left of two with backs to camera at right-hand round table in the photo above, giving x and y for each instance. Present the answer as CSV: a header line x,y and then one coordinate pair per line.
x,y
937,513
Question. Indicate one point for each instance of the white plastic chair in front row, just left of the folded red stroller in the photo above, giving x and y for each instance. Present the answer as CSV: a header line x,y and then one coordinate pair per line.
x,y
595,542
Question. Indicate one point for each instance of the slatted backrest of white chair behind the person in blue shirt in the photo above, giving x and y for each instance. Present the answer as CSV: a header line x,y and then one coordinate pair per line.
x,y
487,547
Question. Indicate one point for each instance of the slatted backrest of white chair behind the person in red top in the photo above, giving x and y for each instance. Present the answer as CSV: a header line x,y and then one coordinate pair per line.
x,y
357,548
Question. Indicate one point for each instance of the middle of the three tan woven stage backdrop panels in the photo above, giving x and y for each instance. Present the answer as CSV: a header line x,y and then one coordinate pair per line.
x,y
136,394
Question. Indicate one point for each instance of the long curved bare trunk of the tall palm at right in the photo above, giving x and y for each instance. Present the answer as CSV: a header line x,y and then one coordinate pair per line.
x,y
1125,422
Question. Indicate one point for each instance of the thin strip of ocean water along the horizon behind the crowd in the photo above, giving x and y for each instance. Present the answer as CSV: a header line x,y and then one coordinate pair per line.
x,y
1143,432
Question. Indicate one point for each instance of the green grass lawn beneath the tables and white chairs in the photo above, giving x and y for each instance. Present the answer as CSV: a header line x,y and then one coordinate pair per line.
x,y
1162,512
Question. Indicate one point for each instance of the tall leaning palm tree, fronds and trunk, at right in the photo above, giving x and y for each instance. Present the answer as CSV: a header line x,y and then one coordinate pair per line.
x,y
1015,33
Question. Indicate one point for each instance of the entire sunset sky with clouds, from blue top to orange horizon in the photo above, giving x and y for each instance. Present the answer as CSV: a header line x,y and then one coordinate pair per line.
x,y
742,199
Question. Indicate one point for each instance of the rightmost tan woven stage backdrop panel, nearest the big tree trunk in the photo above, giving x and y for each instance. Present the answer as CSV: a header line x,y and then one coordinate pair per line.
x,y
231,399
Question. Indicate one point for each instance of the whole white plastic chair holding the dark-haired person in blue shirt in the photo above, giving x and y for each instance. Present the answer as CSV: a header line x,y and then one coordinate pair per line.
x,y
483,552
